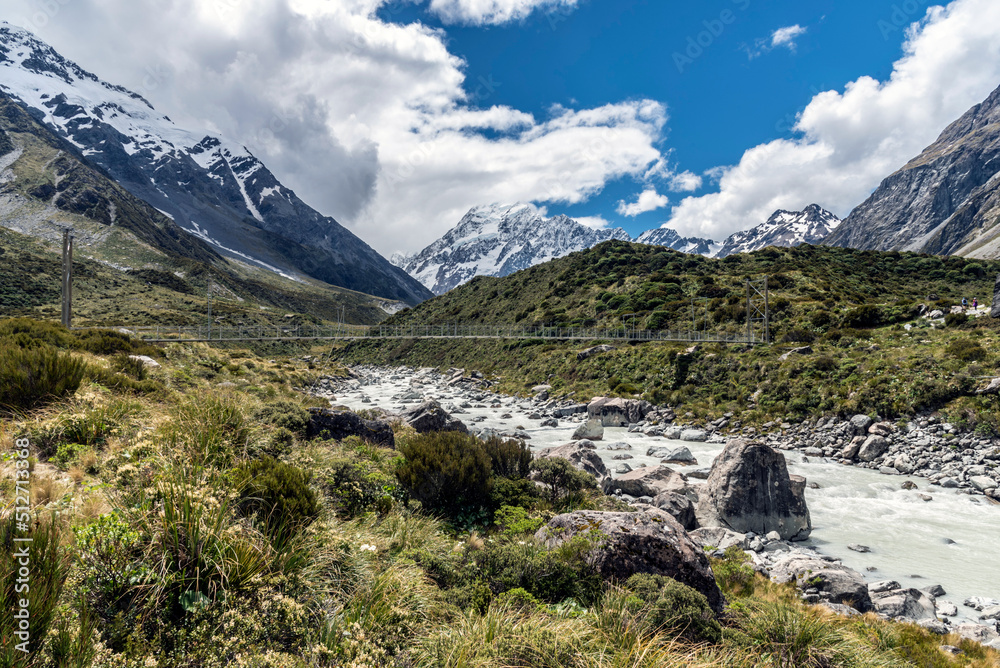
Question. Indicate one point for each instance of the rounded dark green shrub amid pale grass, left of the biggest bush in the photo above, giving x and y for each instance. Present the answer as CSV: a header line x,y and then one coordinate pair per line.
x,y
277,493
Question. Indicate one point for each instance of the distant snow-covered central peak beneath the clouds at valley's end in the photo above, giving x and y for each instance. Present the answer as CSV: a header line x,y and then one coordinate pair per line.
x,y
498,240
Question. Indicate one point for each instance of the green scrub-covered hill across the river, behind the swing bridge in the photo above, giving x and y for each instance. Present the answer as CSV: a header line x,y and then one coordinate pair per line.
x,y
852,307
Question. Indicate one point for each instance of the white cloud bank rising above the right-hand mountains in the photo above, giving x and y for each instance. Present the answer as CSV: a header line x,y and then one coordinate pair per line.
x,y
850,140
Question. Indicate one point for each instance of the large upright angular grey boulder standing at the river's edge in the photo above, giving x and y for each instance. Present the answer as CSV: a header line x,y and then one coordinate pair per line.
x,y
749,489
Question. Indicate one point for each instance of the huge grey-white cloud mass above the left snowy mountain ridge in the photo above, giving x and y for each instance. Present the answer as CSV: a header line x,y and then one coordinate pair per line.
x,y
370,121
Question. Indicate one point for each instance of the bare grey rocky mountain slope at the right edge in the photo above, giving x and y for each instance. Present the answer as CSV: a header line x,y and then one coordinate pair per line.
x,y
944,201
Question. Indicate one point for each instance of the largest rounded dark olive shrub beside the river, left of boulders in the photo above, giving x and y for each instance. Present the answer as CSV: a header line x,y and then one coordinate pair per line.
x,y
448,472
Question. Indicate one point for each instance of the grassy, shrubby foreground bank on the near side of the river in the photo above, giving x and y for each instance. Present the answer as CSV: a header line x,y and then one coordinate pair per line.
x,y
179,523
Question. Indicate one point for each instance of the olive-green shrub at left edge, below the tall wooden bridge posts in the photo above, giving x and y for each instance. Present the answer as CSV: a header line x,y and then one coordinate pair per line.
x,y
33,377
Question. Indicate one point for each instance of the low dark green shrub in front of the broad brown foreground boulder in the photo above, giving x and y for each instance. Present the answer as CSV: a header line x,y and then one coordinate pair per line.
x,y
671,606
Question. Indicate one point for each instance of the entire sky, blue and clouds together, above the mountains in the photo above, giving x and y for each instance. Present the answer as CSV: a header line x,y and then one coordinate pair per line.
x,y
398,116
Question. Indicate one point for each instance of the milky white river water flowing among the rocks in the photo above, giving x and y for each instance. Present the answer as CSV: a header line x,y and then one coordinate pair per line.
x,y
953,540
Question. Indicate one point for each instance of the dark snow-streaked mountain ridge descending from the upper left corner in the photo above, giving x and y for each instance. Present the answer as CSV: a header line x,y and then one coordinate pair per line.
x,y
211,187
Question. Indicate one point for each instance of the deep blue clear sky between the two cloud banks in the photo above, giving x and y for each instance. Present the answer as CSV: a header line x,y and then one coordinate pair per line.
x,y
737,91
